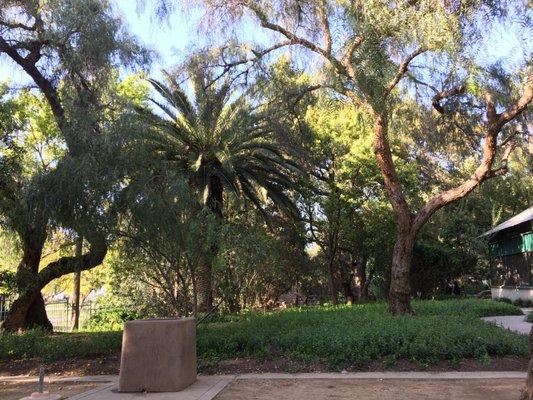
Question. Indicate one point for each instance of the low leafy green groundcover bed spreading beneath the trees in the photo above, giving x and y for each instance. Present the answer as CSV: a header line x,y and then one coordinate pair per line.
x,y
448,330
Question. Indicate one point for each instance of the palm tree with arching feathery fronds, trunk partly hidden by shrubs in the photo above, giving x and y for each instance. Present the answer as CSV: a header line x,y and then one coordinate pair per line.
x,y
223,145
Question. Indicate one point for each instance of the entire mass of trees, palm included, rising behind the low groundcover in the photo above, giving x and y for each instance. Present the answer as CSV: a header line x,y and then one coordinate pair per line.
x,y
320,149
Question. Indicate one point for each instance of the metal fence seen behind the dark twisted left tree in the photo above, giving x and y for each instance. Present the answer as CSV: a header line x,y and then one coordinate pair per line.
x,y
59,313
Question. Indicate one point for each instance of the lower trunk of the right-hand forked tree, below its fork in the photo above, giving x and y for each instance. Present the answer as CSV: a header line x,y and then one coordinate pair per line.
x,y
400,288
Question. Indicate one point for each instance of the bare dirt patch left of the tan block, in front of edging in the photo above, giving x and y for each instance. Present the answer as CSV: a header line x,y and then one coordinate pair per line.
x,y
17,390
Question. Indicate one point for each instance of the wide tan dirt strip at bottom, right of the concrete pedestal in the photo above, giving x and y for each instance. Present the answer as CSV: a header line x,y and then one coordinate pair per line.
x,y
367,389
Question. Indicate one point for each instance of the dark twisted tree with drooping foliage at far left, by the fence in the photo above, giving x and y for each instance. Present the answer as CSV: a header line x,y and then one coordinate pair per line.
x,y
69,51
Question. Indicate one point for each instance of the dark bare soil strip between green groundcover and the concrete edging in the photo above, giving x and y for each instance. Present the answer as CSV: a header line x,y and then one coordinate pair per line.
x,y
110,365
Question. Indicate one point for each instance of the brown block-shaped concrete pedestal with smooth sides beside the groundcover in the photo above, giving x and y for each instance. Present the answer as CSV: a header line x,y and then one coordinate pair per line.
x,y
158,355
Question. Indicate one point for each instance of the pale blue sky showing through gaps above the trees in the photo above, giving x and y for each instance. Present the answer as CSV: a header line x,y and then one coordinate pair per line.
x,y
171,39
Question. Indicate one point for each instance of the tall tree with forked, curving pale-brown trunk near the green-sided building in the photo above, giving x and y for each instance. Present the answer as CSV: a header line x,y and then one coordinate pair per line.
x,y
377,54
